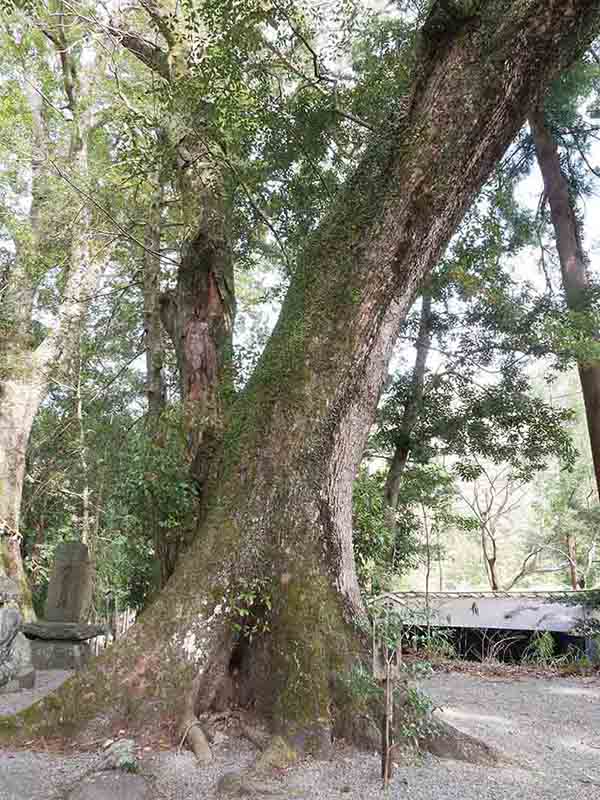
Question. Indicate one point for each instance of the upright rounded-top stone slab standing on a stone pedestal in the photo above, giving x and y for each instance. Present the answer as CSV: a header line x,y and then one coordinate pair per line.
x,y
70,588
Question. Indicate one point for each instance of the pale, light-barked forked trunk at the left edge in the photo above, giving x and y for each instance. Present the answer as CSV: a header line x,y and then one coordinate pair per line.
x,y
25,372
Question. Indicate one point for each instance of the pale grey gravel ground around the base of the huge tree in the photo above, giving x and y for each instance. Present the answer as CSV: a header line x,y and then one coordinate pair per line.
x,y
550,729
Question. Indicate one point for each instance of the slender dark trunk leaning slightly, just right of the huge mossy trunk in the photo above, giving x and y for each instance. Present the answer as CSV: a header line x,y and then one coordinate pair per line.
x,y
411,412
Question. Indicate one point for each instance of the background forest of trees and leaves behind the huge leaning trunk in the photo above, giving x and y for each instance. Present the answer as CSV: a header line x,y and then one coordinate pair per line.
x,y
160,168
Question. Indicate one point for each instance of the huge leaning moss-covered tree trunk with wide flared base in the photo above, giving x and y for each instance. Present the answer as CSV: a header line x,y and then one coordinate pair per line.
x,y
264,605
